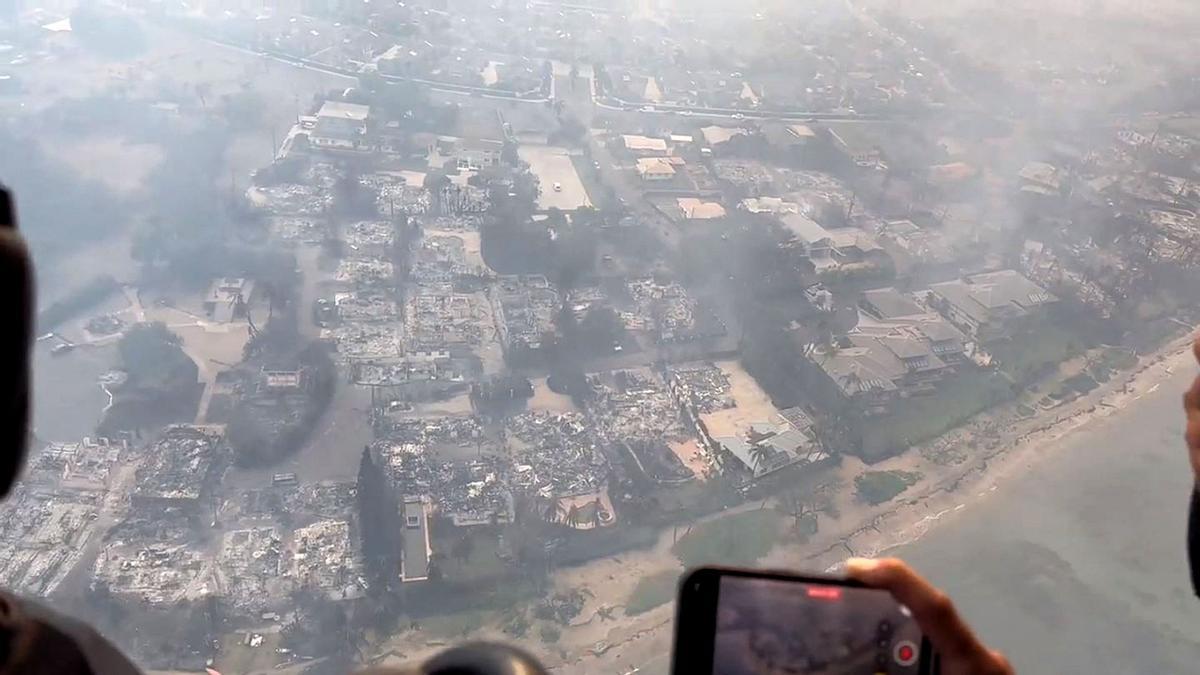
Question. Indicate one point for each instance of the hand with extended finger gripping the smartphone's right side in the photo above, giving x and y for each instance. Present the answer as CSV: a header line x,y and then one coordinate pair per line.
x,y
959,650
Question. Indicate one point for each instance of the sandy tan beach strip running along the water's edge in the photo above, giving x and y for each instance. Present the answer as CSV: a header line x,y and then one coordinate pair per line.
x,y
873,531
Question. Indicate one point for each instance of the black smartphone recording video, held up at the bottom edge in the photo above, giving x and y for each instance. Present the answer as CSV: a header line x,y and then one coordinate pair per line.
x,y
751,623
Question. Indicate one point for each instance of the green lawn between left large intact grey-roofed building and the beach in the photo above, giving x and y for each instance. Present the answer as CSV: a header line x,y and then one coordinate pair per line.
x,y
919,420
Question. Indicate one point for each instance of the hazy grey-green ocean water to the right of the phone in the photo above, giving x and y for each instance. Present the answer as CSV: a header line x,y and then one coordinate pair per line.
x,y
1079,564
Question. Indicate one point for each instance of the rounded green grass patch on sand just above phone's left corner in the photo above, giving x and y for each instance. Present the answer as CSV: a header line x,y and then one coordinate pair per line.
x,y
739,540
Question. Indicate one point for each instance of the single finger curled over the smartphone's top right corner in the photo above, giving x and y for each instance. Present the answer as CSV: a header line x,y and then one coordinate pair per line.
x,y
931,607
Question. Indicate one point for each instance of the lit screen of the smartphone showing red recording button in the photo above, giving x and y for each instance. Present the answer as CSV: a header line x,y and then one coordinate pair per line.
x,y
767,626
